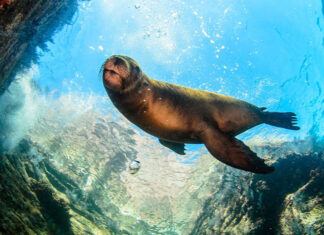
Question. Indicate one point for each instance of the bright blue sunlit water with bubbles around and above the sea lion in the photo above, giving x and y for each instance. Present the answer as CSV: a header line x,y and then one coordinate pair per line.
x,y
269,52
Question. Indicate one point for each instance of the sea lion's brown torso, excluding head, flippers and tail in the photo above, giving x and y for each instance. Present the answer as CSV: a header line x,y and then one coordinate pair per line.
x,y
177,113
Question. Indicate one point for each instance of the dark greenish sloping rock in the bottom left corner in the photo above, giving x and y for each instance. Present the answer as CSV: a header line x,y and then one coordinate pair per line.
x,y
30,202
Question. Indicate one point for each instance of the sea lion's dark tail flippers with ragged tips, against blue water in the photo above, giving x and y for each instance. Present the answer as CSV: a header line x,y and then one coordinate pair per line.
x,y
284,120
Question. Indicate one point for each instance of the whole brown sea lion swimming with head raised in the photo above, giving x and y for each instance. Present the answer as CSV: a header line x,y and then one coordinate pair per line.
x,y
178,115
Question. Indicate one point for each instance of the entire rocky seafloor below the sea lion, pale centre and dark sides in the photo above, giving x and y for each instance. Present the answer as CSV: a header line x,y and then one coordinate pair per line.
x,y
73,178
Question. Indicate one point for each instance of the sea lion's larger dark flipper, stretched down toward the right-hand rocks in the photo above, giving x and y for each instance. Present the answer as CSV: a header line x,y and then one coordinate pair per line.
x,y
233,152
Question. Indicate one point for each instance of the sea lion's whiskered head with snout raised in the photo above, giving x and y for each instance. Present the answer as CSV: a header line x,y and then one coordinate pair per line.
x,y
120,73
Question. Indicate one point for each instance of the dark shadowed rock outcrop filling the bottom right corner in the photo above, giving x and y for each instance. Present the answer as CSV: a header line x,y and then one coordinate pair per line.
x,y
288,201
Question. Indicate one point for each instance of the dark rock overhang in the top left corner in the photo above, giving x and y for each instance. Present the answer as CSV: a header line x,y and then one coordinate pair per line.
x,y
24,26
